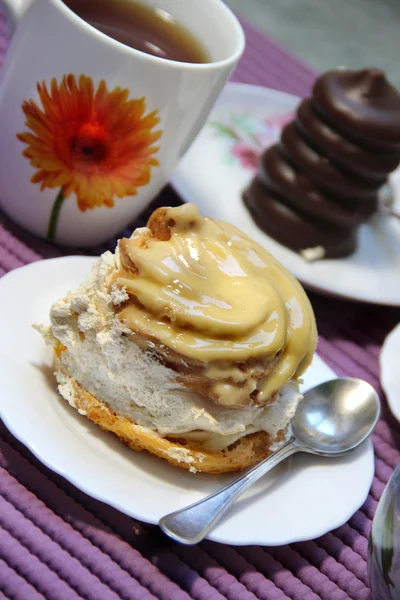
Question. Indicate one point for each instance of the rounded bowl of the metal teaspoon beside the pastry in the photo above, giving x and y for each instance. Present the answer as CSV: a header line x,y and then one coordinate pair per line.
x,y
336,416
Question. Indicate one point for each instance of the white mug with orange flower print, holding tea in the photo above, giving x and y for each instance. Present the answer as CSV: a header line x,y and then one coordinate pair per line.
x,y
90,129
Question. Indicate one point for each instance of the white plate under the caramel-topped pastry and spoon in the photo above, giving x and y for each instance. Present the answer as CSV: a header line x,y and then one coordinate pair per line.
x,y
305,499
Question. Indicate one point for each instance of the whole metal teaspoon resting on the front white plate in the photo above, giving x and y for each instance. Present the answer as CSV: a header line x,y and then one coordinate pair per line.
x,y
332,419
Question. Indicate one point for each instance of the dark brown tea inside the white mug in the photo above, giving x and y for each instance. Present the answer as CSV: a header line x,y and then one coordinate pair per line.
x,y
144,28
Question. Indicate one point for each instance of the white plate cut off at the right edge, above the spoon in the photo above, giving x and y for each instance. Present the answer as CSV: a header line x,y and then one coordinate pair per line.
x,y
390,379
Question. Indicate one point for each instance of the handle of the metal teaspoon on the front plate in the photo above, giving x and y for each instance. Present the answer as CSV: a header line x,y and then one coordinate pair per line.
x,y
191,524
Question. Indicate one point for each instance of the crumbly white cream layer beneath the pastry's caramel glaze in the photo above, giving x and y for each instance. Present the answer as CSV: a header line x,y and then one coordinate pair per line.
x,y
104,360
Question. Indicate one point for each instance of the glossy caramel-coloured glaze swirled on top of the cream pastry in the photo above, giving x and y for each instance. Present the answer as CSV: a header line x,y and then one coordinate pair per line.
x,y
211,295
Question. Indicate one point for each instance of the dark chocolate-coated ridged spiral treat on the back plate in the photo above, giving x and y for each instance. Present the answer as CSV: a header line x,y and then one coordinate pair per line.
x,y
321,181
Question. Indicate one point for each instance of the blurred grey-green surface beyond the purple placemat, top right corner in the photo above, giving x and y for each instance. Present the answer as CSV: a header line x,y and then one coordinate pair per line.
x,y
325,34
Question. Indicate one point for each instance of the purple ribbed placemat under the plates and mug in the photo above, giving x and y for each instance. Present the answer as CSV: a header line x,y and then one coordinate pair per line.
x,y
56,543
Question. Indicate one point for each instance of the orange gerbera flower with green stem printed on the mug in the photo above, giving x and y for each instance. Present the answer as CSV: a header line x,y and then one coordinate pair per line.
x,y
95,143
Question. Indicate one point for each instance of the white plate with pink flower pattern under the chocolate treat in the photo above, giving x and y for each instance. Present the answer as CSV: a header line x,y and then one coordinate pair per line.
x,y
213,177
